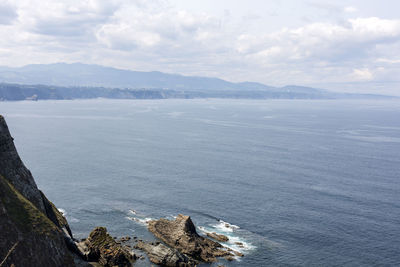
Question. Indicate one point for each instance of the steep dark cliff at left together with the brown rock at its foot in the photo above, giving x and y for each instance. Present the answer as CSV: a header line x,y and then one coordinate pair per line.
x,y
32,230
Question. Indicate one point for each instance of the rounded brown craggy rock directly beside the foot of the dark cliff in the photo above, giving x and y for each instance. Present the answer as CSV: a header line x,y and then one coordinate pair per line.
x,y
101,247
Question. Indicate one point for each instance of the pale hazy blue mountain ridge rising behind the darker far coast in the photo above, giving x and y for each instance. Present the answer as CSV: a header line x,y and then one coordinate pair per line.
x,y
77,74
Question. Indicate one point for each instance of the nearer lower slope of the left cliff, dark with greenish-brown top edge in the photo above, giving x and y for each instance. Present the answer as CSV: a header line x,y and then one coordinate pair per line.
x,y
27,236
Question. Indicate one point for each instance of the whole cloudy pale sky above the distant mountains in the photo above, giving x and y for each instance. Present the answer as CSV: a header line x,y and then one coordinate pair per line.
x,y
349,46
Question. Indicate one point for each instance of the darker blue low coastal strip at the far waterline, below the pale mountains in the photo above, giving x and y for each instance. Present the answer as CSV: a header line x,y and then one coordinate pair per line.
x,y
19,92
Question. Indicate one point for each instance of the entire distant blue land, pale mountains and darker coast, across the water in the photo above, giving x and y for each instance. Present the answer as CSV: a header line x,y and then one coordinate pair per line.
x,y
71,81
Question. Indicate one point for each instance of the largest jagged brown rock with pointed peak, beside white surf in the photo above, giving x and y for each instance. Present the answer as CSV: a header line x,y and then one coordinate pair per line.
x,y
181,234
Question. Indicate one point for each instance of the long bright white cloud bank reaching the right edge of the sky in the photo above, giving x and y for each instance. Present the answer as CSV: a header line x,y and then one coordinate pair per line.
x,y
322,41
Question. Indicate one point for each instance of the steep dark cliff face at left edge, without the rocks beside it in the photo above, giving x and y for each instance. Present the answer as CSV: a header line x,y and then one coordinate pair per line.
x,y
32,230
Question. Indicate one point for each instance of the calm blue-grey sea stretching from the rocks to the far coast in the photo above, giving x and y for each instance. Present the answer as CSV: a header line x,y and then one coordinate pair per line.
x,y
299,182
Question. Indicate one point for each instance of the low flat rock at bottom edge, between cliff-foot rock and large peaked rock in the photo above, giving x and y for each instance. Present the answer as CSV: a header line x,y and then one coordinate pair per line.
x,y
165,256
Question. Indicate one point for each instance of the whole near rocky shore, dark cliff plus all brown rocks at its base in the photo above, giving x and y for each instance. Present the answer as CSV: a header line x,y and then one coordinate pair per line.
x,y
33,232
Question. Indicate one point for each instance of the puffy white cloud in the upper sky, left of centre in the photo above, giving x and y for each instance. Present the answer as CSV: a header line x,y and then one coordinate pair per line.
x,y
169,29
